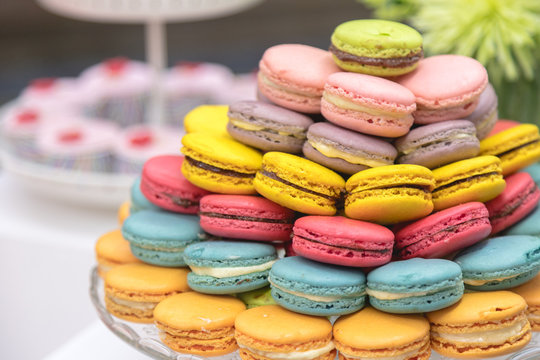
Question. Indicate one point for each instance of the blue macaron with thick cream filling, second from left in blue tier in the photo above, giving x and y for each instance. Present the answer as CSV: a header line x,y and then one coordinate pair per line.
x,y
228,267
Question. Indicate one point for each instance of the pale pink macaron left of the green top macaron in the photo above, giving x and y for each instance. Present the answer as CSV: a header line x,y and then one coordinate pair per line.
x,y
293,76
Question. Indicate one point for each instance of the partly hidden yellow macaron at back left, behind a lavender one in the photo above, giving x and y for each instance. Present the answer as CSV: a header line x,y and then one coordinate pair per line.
x,y
208,119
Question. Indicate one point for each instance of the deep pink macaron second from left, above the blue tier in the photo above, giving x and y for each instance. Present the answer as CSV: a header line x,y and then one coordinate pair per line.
x,y
245,217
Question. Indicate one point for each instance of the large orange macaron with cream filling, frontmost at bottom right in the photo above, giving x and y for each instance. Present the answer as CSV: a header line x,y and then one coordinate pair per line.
x,y
481,325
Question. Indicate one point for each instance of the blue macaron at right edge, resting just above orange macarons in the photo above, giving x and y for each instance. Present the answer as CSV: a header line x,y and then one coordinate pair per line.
x,y
500,263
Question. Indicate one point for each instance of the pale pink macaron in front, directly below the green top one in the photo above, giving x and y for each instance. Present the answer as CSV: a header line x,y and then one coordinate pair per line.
x,y
368,104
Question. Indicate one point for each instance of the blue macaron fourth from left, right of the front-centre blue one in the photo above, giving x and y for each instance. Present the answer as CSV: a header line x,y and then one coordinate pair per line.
x,y
415,285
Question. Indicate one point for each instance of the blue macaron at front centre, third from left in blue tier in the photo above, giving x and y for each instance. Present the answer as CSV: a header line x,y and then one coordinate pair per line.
x,y
314,288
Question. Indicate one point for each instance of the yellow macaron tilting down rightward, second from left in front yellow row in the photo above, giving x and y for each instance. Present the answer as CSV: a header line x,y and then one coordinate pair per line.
x,y
299,184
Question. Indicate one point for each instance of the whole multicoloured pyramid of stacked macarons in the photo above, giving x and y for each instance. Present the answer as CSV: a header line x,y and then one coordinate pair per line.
x,y
363,184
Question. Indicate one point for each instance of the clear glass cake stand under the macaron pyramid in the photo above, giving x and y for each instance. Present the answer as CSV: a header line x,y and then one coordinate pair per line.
x,y
145,337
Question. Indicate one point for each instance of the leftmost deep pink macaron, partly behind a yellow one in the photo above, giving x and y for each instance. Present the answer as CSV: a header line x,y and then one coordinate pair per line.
x,y
163,184
